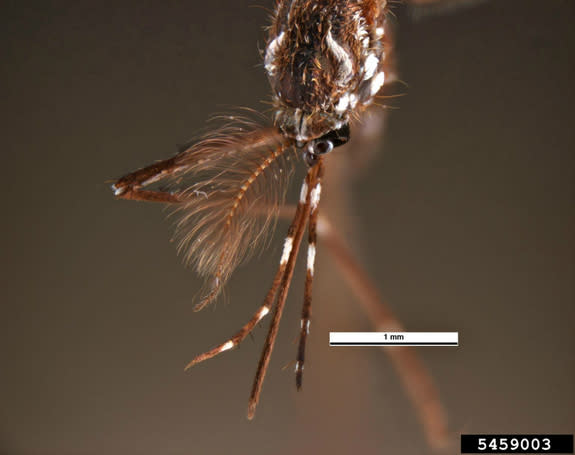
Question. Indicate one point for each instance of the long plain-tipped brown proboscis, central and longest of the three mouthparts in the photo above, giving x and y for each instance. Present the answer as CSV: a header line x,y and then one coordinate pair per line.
x,y
291,248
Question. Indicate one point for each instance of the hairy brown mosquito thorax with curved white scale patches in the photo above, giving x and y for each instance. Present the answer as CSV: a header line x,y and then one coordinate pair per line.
x,y
326,61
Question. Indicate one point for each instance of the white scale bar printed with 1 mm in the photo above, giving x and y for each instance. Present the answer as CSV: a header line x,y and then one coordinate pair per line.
x,y
394,338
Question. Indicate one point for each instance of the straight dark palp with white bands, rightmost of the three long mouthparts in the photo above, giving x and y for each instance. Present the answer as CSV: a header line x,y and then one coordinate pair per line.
x,y
306,309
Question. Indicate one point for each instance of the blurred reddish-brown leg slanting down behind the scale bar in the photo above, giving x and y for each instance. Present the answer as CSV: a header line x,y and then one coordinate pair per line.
x,y
414,376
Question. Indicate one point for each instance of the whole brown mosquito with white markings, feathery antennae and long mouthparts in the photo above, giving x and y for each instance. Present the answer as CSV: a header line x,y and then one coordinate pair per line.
x,y
326,61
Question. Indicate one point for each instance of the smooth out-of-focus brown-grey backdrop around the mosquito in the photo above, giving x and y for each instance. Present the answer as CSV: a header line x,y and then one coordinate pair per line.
x,y
464,220
